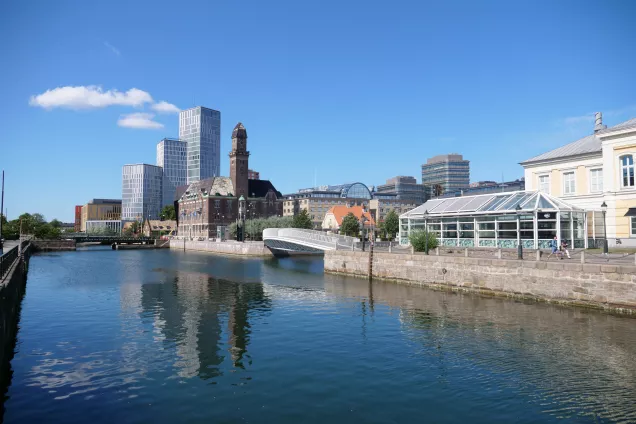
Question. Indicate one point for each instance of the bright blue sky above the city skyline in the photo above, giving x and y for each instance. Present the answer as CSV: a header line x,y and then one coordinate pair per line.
x,y
339,91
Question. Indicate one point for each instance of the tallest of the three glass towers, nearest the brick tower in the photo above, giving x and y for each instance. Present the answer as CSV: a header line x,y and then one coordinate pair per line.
x,y
200,128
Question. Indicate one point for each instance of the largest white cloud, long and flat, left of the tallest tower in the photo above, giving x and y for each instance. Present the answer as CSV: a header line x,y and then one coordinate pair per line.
x,y
86,97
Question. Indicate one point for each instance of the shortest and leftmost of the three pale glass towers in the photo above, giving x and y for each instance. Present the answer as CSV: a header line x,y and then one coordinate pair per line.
x,y
141,192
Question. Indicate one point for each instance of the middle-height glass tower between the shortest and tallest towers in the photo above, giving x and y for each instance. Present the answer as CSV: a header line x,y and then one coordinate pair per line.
x,y
171,156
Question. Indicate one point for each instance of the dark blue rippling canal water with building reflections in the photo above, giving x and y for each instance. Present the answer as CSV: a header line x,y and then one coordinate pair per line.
x,y
163,337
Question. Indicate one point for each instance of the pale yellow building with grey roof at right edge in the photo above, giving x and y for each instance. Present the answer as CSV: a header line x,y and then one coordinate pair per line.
x,y
595,170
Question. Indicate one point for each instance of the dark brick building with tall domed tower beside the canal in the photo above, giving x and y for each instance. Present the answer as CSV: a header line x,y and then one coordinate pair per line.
x,y
206,204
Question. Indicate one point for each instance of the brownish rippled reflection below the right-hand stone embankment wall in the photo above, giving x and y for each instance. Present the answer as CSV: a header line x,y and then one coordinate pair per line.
x,y
573,362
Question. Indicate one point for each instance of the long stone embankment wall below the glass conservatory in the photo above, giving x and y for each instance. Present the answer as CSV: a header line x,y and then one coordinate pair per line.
x,y
610,287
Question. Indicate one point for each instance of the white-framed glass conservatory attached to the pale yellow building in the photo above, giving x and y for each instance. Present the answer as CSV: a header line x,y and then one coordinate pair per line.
x,y
504,220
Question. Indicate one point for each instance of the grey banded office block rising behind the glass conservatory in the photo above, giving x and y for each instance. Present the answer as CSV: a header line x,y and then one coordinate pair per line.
x,y
445,173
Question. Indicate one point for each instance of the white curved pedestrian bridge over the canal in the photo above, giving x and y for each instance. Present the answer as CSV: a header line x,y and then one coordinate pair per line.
x,y
308,241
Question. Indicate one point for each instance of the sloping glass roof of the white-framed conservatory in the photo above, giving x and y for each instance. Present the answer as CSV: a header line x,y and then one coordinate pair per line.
x,y
491,204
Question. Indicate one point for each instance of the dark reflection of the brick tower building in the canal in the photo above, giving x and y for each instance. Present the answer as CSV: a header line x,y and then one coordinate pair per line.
x,y
191,307
